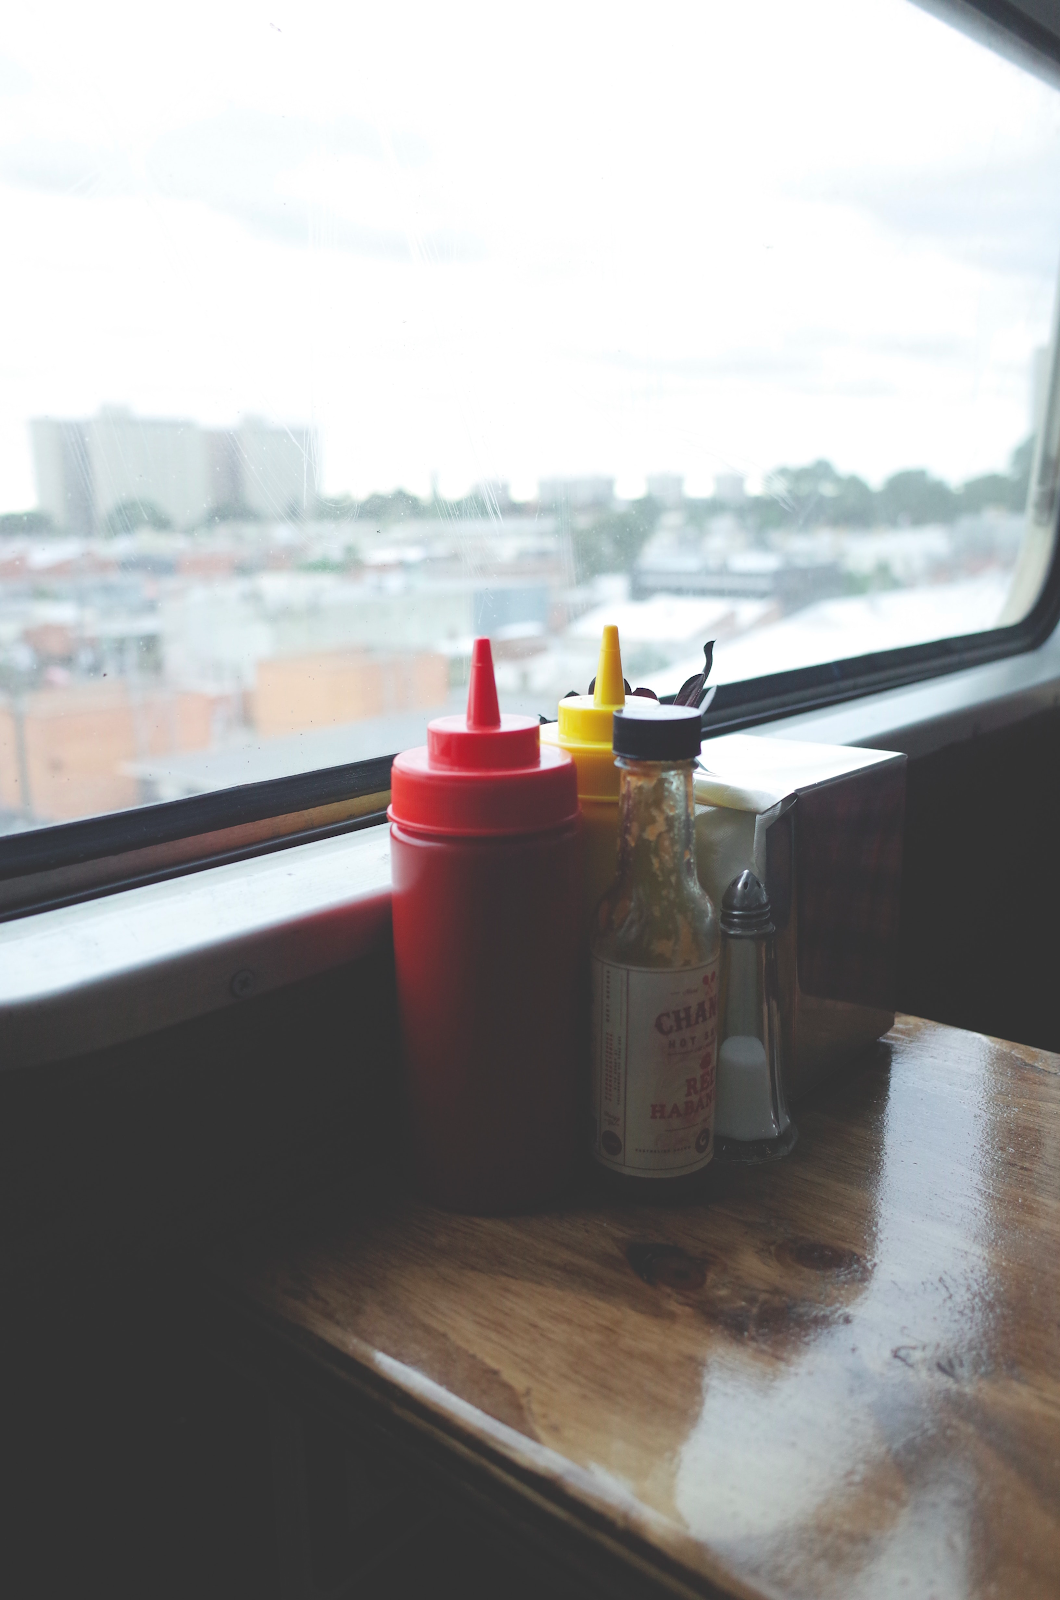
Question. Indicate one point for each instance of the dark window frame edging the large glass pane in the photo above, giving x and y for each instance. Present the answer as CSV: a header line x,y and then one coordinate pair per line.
x,y
57,865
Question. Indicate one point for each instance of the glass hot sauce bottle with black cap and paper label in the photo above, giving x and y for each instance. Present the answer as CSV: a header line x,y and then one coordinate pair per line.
x,y
654,958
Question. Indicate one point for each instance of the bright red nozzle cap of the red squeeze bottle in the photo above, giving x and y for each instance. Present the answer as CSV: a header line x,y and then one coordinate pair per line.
x,y
486,772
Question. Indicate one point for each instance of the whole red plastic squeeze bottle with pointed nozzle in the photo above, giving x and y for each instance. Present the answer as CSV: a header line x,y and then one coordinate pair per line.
x,y
486,862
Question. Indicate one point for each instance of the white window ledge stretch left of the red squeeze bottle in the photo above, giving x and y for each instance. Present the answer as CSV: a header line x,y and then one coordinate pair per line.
x,y
87,977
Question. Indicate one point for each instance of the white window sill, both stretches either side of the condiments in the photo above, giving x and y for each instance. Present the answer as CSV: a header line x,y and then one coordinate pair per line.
x,y
92,975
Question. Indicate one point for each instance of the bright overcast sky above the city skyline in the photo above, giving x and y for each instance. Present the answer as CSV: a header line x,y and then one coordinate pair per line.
x,y
510,242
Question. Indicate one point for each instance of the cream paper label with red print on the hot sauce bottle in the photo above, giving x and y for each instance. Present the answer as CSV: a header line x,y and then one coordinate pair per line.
x,y
654,1068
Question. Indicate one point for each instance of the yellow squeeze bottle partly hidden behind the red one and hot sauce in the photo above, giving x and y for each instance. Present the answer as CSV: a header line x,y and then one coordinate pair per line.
x,y
585,732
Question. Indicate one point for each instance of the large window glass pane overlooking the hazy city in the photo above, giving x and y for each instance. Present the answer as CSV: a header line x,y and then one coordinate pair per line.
x,y
337,335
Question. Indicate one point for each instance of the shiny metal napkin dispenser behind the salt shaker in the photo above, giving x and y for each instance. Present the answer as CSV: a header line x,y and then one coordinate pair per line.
x,y
822,828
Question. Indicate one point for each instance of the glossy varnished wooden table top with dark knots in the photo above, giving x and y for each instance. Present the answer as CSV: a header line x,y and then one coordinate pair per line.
x,y
840,1377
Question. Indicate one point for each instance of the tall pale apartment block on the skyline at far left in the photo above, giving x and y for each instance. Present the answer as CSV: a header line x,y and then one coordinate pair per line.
x,y
87,471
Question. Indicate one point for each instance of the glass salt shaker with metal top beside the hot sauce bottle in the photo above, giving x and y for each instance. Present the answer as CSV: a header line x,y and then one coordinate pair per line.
x,y
752,1122
